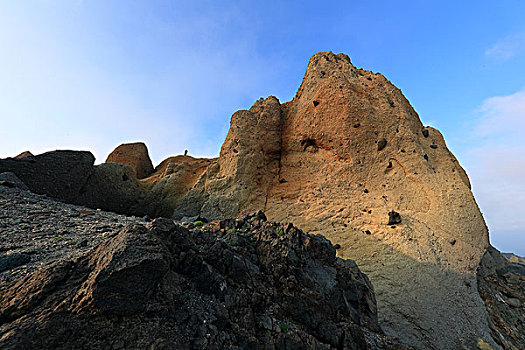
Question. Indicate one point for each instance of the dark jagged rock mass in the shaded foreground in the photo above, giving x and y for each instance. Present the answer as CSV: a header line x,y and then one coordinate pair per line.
x,y
241,284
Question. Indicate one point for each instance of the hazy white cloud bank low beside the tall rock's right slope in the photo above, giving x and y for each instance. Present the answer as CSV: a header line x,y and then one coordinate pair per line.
x,y
496,166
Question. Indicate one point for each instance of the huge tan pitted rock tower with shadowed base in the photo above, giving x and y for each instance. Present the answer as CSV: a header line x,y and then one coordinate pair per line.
x,y
336,160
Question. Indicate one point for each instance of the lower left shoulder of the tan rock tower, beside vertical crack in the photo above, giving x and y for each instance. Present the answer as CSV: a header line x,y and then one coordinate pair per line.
x,y
247,166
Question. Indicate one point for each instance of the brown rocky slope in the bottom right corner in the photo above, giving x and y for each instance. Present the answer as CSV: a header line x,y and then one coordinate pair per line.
x,y
501,284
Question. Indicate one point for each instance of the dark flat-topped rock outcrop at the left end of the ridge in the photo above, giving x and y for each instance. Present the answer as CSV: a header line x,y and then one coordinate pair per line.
x,y
59,174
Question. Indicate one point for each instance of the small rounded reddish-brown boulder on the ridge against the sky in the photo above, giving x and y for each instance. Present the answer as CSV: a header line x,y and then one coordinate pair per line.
x,y
135,155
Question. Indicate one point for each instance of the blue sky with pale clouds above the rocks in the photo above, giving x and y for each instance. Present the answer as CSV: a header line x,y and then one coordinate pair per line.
x,y
93,74
